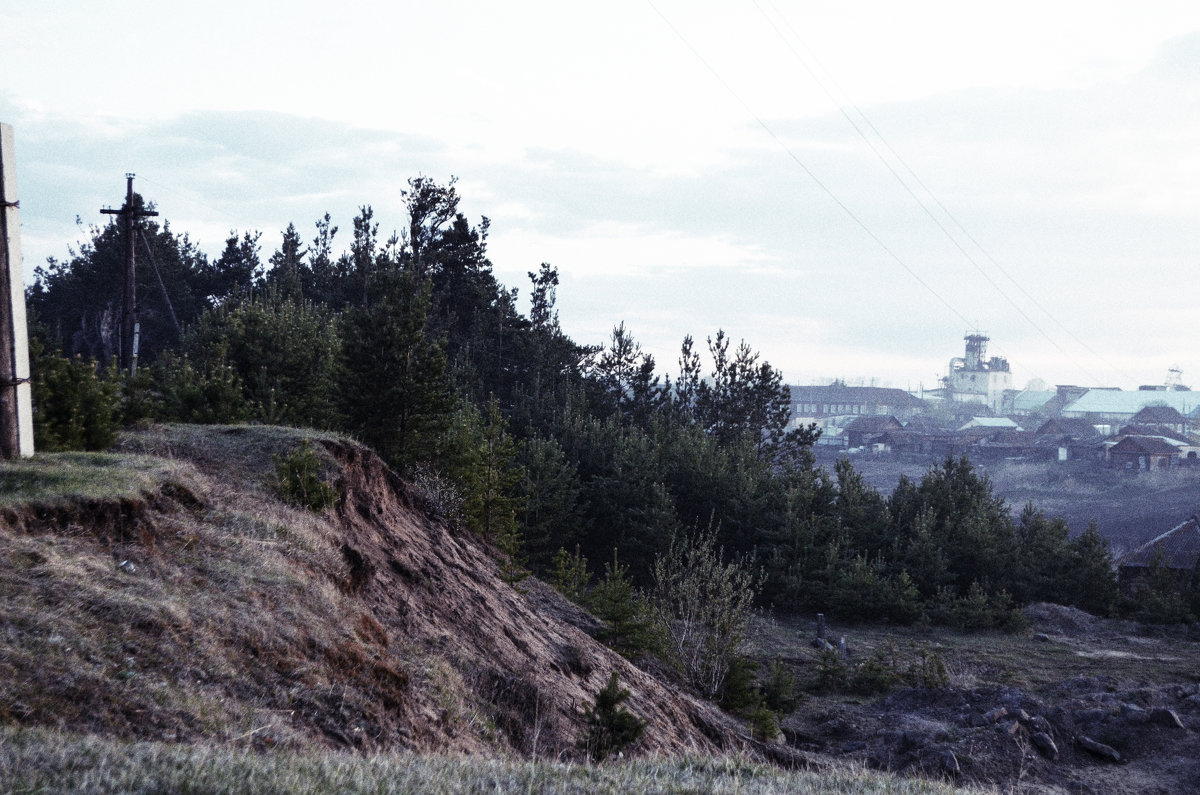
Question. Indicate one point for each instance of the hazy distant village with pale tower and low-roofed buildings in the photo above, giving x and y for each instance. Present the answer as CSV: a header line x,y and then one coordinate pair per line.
x,y
977,413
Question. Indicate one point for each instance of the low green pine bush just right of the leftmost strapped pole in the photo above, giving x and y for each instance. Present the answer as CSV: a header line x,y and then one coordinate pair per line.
x,y
75,407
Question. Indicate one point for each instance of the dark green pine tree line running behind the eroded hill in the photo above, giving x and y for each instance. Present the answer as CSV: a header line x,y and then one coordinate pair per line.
x,y
545,446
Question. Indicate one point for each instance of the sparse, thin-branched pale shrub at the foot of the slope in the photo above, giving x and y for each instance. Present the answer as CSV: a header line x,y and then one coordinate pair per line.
x,y
706,605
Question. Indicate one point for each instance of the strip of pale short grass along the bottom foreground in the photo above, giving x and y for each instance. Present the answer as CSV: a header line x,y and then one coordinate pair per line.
x,y
38,761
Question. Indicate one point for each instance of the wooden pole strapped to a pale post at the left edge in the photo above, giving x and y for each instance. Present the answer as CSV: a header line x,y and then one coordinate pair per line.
x,y
16,407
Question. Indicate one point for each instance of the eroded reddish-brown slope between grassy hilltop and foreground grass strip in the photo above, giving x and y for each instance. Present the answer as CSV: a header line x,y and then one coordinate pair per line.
x,y
212,612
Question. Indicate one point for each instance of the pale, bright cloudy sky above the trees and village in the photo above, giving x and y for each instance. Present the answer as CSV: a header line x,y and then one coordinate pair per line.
x,y
849,188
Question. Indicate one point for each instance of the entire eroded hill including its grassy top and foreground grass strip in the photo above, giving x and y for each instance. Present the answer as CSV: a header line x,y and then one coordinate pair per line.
x,y
171,623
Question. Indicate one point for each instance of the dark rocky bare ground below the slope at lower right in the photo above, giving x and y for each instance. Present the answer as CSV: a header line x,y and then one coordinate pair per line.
x,y
1073,678
